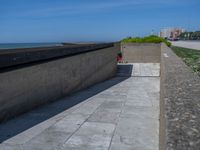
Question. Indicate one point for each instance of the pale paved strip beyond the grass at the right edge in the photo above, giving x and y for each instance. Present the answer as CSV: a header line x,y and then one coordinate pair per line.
x,y
187,44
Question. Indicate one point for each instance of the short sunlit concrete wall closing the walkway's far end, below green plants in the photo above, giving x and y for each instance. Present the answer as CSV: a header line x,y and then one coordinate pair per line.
x,y
141,52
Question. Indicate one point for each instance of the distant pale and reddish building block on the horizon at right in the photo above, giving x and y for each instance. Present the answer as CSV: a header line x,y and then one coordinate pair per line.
x,y
171,33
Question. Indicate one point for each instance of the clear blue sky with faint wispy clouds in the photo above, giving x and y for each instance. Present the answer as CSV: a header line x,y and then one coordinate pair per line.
x,y
27,21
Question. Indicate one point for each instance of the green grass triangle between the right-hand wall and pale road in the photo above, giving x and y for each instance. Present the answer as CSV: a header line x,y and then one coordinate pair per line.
x,y
190,57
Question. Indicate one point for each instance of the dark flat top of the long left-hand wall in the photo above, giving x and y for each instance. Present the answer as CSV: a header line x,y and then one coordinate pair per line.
x,y
12,58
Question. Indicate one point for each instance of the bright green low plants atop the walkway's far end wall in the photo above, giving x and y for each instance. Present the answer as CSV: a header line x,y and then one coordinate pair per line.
x,y
147,39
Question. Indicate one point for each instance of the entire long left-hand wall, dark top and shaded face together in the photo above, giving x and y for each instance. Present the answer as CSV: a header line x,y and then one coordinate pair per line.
x,y
51,75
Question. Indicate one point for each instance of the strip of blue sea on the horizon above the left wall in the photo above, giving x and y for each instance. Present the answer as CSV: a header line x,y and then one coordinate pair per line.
x,y
26,45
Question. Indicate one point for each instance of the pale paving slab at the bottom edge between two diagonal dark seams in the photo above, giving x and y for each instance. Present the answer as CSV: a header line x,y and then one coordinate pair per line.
x,y
91,135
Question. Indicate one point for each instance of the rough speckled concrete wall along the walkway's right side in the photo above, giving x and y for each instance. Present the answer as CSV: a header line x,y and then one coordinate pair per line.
x,y
179,104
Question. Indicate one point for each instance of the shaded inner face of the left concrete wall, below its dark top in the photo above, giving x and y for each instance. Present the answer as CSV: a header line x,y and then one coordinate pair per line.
x,y
24,88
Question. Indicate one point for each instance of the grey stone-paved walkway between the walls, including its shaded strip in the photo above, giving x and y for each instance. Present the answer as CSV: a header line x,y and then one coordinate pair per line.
x,y
119,114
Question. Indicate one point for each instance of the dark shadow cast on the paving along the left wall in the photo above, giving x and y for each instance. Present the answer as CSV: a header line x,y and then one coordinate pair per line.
x,y
28,120
